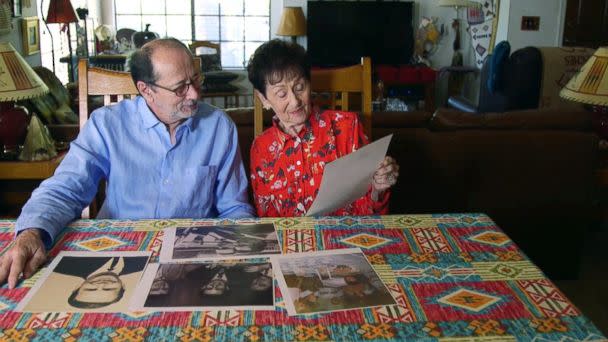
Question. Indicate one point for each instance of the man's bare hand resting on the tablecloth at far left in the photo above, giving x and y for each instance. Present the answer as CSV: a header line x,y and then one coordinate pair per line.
x,y
25,256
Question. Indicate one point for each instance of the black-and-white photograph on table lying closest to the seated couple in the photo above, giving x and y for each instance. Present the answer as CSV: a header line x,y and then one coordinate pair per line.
x,y
219,242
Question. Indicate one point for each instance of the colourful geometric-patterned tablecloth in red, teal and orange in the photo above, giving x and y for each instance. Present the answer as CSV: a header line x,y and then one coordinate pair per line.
x,y
455,277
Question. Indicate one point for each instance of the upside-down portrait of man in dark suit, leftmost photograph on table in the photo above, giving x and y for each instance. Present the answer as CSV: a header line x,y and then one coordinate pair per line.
x,y
86,282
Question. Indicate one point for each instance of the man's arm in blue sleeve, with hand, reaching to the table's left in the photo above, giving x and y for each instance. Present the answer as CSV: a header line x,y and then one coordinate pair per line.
x,y
54,204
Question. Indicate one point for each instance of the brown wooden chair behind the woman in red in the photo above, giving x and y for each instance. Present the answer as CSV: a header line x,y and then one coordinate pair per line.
x,y
332,88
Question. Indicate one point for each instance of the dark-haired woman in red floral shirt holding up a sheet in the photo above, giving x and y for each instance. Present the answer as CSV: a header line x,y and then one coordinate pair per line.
x,y
288,159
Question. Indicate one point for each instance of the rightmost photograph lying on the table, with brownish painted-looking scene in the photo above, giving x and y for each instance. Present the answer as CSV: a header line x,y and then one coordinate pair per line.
x,y
332,280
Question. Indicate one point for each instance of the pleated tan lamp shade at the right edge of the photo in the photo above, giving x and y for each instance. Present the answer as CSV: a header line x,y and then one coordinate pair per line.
x,y
590,84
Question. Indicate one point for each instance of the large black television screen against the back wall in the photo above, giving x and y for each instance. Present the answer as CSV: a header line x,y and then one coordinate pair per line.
x,y
341,32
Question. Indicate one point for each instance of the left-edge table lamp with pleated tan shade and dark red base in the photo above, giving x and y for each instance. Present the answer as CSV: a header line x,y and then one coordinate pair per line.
x,y
17,82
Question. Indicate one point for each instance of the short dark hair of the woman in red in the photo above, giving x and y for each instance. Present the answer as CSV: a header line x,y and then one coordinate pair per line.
x,y
274,60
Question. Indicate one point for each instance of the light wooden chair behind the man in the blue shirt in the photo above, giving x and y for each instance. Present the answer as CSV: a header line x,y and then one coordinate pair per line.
x,y
113,86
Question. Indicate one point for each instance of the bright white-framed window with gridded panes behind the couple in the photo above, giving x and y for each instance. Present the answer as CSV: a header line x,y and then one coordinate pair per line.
x,y
239,26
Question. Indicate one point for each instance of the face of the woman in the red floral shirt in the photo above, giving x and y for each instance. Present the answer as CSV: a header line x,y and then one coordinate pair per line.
x,y
290,100
